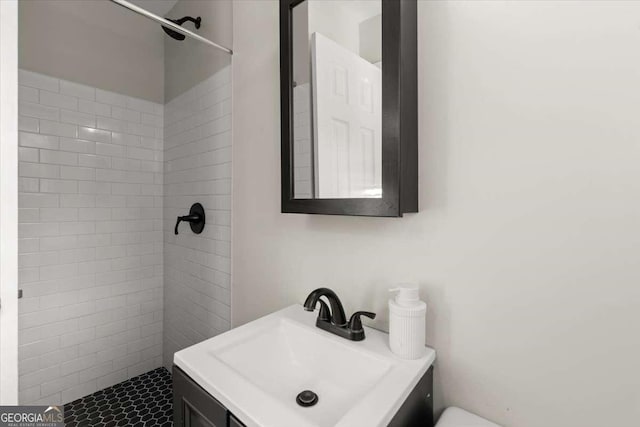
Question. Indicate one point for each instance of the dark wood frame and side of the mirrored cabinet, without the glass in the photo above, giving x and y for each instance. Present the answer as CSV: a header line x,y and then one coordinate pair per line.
x,y
399,118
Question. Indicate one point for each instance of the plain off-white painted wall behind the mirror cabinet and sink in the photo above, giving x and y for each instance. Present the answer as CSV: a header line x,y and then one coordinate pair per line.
x,y
527,243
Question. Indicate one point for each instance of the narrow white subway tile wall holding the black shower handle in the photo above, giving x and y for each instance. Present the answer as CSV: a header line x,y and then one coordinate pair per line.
x,y
197,166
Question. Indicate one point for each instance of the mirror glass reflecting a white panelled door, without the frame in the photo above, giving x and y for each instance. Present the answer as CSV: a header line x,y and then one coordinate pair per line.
x,y
337,99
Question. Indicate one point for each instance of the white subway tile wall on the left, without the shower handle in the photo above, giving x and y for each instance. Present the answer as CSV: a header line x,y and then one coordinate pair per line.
x,y
91,239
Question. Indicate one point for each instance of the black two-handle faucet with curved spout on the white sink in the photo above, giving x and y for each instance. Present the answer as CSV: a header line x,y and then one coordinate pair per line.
x,y
335,321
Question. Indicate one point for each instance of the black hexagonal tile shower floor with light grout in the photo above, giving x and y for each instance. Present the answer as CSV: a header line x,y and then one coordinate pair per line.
x,y
145,400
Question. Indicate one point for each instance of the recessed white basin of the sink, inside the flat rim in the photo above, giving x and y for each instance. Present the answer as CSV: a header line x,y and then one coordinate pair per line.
x,y
288,359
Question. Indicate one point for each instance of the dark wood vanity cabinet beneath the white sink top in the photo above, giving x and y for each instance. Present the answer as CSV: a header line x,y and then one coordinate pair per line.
x,y
194,407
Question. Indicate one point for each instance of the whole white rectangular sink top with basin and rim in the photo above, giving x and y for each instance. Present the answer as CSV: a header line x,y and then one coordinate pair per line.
x,y
258,369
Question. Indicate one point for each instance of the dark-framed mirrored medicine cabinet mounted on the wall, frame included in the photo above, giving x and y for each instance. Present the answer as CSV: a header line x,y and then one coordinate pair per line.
x,y
349,123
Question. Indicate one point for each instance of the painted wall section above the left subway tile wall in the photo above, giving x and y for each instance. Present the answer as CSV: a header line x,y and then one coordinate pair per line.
x,y
96,43
